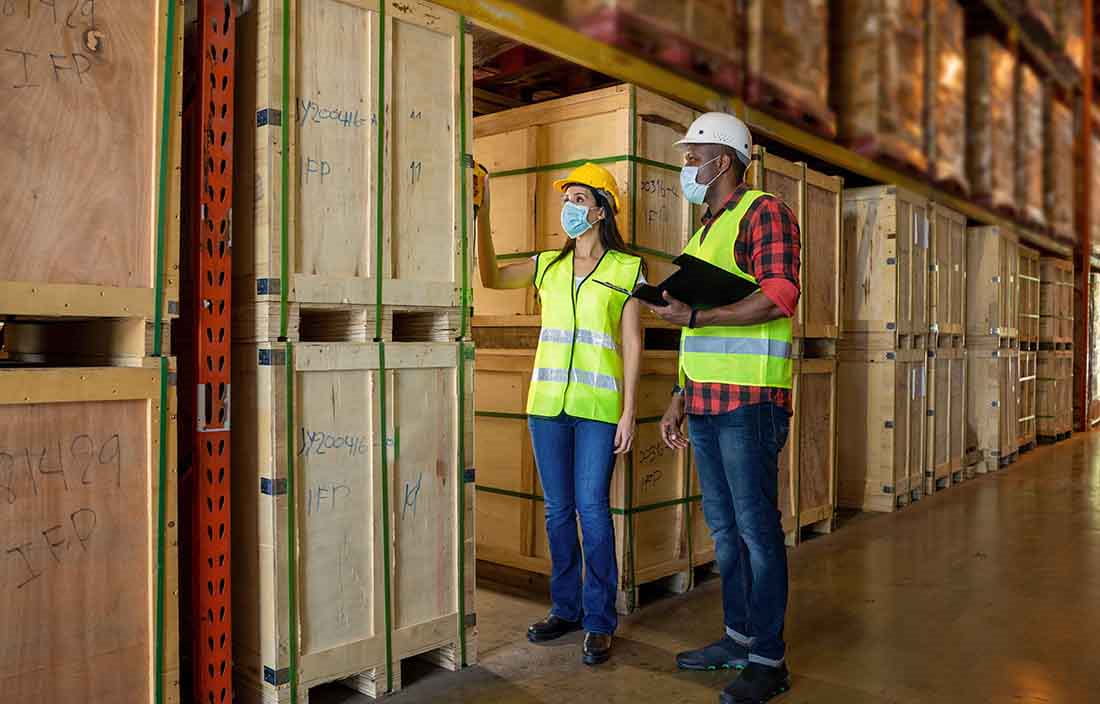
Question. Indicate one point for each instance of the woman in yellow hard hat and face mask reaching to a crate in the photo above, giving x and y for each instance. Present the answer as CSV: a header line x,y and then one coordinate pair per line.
x,y
581,402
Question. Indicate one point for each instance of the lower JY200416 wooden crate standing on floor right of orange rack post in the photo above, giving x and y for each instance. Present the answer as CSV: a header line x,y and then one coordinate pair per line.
x,y
343,461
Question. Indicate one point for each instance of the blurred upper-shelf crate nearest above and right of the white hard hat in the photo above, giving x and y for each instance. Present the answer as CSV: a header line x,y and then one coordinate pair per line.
x,y
787,62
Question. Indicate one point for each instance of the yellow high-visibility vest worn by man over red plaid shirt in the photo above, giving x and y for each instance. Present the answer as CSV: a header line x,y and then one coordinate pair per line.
x,y
745,356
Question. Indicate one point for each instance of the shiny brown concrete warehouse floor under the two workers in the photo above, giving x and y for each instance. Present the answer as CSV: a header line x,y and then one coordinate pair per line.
x,y
986,593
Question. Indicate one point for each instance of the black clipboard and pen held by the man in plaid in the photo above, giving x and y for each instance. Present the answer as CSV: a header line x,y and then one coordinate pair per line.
x,y
697,283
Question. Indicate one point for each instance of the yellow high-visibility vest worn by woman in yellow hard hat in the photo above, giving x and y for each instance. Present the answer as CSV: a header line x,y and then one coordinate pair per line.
x,y
579,366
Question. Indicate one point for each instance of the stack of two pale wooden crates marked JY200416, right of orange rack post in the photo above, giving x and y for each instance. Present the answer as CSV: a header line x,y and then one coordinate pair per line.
x,y
353,375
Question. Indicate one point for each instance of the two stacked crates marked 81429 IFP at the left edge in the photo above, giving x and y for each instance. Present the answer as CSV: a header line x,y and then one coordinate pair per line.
x,y
90,251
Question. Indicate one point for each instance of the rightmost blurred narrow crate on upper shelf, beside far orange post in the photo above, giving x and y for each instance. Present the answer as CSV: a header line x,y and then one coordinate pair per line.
x,y
1059,136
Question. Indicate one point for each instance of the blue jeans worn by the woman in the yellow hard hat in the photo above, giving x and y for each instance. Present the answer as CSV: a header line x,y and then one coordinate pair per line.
x,y
576,460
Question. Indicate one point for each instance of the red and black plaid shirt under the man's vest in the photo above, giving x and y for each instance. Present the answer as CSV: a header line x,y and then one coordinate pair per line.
x,y
767,247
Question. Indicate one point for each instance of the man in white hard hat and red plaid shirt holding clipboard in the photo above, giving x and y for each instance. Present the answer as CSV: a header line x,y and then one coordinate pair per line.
x,y
735,390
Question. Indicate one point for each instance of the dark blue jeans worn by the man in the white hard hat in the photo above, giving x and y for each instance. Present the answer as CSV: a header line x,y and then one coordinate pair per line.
x,y
738,458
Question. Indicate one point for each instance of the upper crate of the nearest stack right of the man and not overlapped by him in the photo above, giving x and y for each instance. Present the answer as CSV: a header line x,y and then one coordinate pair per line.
x,y
886,265
